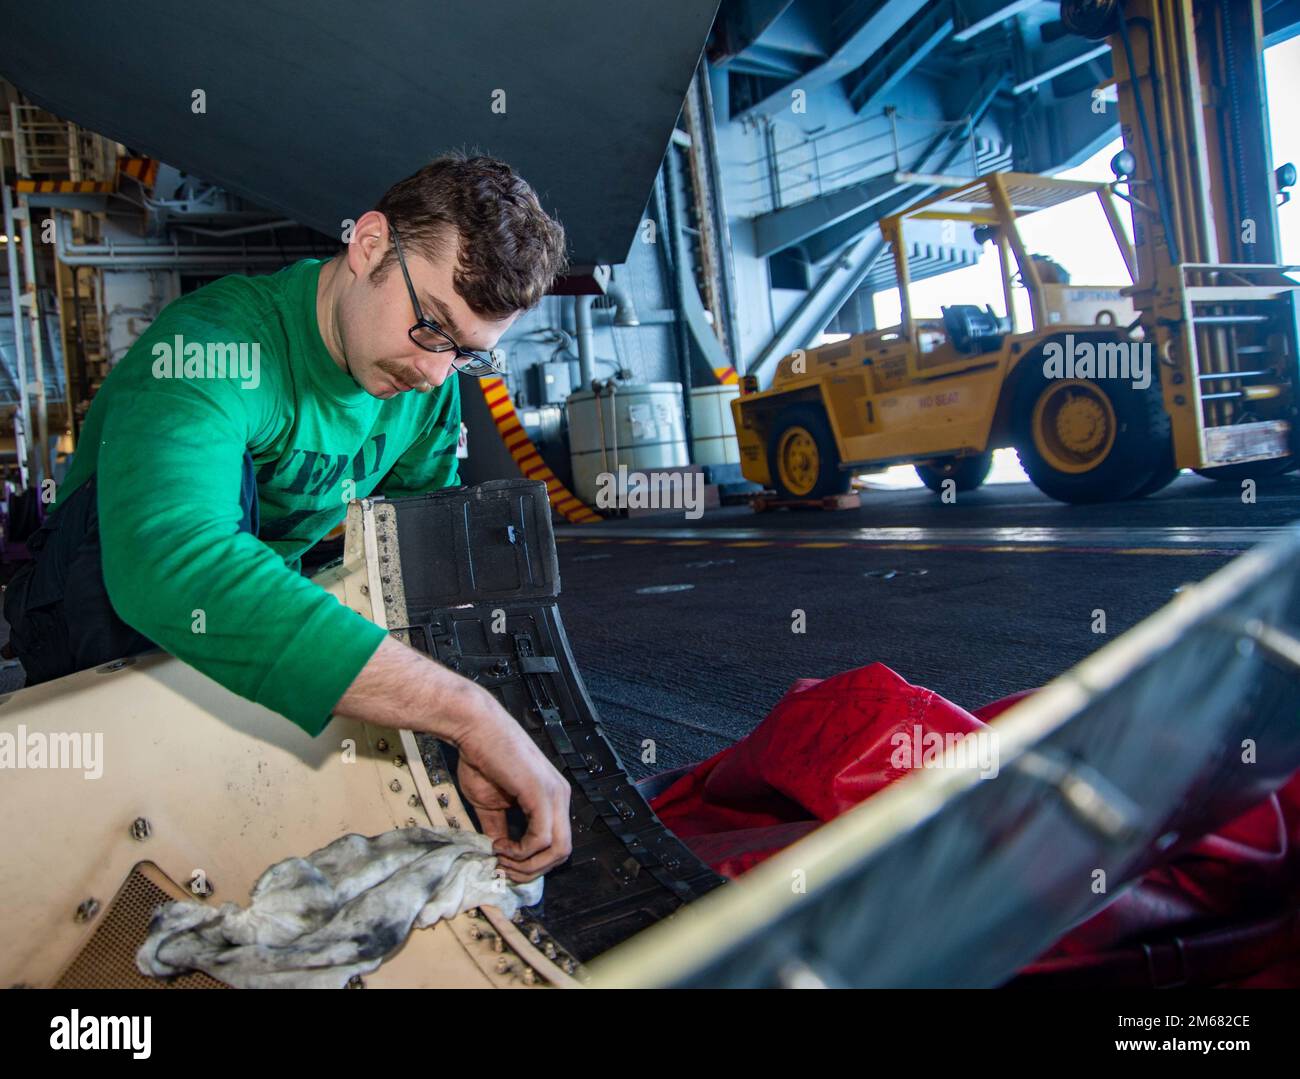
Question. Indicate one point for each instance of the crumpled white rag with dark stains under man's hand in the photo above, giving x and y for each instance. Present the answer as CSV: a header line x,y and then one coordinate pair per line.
x,y
315,922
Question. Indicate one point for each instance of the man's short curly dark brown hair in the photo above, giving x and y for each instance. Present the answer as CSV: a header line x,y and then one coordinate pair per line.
x,y
510,250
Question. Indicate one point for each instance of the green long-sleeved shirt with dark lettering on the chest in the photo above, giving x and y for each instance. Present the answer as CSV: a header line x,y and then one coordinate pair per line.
x,y
239,366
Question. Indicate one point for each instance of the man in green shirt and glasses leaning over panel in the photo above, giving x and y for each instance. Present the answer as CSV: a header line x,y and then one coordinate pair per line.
x,y
231,439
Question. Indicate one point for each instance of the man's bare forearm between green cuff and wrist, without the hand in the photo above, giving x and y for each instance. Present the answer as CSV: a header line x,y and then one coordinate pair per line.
x,y
404,688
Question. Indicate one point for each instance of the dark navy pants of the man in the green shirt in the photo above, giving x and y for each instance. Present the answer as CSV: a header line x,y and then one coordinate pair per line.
x,y
59,614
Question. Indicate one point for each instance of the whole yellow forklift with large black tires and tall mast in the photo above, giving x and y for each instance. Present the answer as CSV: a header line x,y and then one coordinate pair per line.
x,y
1115,388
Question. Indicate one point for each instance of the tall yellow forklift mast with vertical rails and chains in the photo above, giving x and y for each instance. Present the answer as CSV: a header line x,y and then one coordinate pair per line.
x,y
1211,292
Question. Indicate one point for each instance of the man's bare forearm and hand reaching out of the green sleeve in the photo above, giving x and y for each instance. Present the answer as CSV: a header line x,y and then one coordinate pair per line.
x,y
500,765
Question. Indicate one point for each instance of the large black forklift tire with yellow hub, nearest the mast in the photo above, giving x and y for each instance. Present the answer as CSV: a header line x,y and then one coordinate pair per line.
x,y
1090,440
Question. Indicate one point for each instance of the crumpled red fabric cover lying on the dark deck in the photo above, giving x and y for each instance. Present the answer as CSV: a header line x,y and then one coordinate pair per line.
x,y
829,746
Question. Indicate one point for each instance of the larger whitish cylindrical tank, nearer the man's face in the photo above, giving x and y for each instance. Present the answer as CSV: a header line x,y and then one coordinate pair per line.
x,y
643,431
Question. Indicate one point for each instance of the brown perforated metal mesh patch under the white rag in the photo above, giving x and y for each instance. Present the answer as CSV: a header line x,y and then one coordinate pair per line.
x,y
109,959
